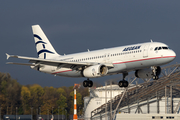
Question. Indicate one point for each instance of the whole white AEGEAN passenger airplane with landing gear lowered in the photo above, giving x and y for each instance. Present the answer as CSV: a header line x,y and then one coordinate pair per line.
x,y
143,58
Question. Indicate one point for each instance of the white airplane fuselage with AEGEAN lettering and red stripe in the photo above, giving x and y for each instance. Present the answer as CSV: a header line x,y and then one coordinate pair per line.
x,y
124,58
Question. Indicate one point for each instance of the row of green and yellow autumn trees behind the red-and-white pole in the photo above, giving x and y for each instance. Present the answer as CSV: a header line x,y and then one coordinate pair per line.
x,y
34,97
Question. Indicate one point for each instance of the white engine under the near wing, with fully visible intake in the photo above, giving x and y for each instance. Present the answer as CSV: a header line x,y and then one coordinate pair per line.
x,y
95,71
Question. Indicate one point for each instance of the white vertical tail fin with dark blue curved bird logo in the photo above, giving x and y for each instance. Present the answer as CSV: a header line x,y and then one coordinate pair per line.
x,y
44,48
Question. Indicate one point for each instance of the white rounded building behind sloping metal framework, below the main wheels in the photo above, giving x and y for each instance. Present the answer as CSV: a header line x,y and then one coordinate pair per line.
x,y
100,96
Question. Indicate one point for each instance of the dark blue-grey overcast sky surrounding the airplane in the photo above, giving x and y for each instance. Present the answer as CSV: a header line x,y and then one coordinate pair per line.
x,y
75,26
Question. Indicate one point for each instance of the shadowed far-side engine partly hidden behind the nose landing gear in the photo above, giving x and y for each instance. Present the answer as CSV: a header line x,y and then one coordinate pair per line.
x,y
147,73
